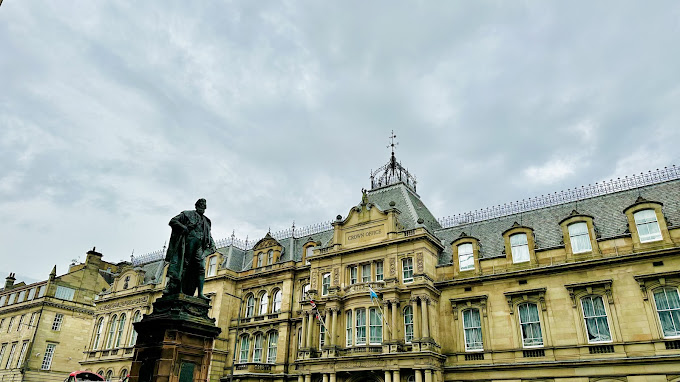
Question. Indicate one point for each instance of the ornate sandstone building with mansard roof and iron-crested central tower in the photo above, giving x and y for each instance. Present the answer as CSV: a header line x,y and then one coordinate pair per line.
x,y
574,287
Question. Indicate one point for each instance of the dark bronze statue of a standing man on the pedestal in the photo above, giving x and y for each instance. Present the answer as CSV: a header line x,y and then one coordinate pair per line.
x,y
190,242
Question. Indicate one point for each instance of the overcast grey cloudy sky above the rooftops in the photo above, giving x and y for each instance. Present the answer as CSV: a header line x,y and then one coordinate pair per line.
x,y
115,116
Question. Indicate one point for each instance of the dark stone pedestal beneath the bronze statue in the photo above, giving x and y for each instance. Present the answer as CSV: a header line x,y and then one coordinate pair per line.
x,y
174,342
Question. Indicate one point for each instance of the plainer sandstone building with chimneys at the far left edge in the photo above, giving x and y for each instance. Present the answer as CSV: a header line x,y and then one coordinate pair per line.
x,y
45,326
